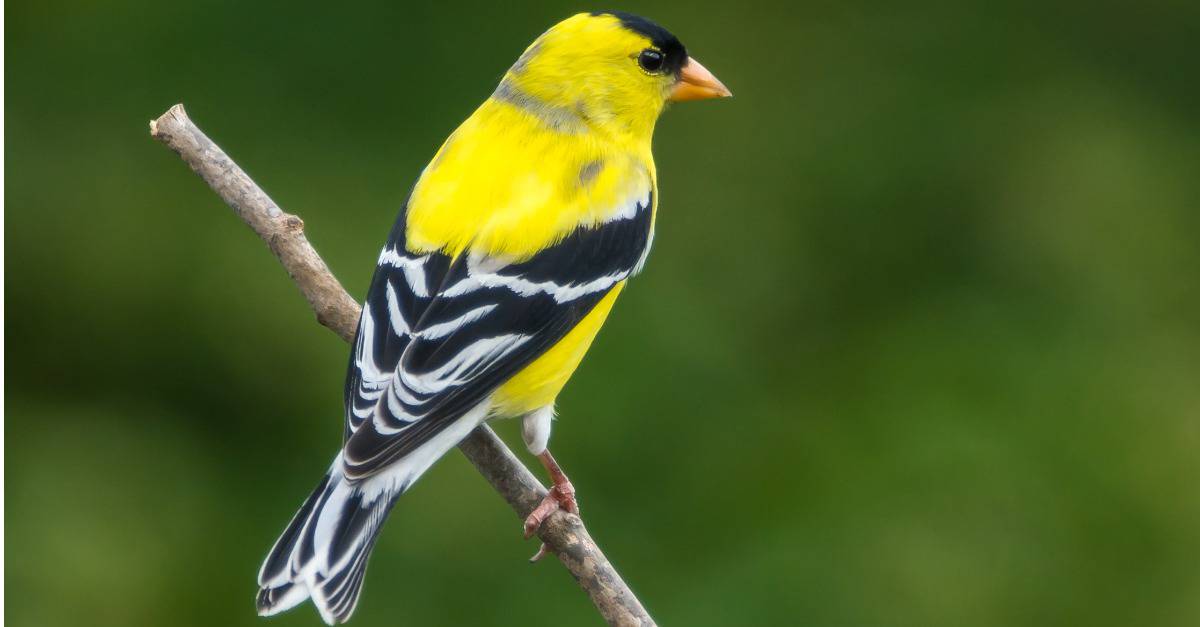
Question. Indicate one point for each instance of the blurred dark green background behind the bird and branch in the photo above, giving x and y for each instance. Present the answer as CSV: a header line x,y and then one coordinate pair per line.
x,y
919,344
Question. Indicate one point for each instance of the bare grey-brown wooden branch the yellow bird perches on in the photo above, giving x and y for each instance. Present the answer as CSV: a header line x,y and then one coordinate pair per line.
x,y
563,534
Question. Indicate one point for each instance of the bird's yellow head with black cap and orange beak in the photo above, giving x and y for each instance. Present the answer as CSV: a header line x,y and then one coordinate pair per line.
x,y
610,70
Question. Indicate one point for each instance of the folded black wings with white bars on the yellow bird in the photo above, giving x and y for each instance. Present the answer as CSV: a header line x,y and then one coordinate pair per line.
x,y
485,323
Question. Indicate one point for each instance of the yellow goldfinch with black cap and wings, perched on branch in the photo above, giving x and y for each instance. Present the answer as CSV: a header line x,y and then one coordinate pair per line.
x,y
500,271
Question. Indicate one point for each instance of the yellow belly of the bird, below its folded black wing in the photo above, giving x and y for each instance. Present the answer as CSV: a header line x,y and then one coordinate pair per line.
x,y
541,383
